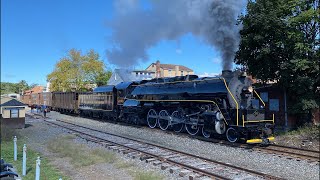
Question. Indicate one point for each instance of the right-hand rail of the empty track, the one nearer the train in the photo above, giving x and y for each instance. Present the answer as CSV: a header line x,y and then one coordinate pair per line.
x,y
184,153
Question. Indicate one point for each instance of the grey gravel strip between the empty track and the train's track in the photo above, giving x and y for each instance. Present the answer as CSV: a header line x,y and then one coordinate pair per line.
x,y
266,163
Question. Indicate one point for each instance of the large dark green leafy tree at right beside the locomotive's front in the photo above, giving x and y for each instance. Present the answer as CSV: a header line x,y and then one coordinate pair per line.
x,y
280,42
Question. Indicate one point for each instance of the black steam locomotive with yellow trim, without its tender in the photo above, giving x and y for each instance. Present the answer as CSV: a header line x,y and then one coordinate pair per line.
x,y
213,106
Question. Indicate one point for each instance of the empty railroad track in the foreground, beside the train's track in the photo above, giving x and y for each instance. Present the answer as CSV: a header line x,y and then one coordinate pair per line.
x,y
176,161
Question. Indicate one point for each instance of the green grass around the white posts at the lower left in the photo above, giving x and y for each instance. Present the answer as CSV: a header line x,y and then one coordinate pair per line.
x,y
47,171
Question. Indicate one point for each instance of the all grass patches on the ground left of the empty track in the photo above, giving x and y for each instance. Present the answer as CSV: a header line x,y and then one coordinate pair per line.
x,y
79,155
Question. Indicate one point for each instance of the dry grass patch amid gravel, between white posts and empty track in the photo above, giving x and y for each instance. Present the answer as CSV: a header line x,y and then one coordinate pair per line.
x,y
80,155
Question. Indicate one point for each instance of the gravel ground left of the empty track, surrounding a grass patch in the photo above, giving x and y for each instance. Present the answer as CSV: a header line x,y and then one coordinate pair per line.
x,y
38,133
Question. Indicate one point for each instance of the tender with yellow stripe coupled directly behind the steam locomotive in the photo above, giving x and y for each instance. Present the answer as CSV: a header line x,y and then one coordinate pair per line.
x,y
100,103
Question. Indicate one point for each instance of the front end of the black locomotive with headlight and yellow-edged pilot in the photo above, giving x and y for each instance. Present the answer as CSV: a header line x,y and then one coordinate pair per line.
x,y
250,122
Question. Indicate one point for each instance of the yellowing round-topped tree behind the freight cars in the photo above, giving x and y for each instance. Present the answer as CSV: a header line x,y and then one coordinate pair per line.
x,y
76,72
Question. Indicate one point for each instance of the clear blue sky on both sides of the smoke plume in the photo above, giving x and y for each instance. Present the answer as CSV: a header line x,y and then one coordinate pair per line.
x,y
35,34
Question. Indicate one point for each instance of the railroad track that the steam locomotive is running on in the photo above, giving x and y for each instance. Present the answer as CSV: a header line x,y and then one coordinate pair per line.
x,y
281,151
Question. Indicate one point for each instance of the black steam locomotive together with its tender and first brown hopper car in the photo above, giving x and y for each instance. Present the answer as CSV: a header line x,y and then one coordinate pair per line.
x,y
219,106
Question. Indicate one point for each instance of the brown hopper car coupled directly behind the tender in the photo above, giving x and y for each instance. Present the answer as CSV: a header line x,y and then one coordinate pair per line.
x,y
65,102
